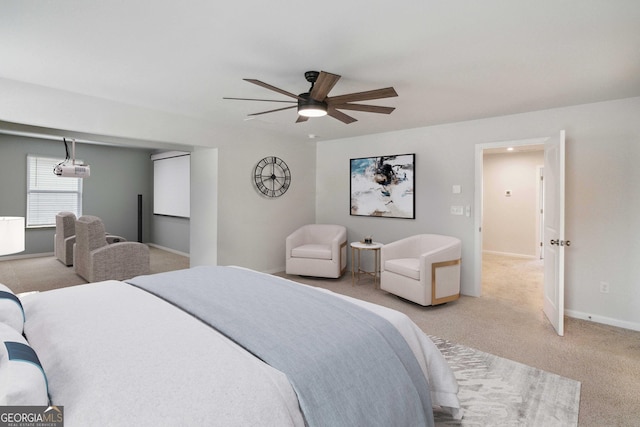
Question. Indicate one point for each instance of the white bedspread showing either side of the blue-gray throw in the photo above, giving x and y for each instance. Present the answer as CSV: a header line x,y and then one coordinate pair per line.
x,y
116,355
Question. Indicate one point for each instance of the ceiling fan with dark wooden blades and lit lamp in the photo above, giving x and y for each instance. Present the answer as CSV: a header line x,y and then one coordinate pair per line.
x,y
317,103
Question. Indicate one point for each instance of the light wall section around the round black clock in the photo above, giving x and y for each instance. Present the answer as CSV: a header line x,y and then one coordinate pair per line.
x,y
251,227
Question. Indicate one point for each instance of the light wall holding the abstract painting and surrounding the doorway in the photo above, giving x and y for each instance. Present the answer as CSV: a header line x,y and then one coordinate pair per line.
x,y
602,194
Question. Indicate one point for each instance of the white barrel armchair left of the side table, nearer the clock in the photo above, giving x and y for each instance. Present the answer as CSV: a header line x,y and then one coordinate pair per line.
x,y
318,250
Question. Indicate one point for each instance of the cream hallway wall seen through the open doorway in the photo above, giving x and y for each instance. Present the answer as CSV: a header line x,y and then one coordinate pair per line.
x,y
510,223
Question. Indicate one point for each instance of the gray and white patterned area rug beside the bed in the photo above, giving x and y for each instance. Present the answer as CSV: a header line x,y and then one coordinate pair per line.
x,y
499,392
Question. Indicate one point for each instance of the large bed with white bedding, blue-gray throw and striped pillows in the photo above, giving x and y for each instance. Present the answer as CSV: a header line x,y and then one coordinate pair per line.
x,y
223,346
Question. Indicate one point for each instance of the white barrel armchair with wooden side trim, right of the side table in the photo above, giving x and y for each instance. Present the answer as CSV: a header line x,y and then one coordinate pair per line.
x,y
424,268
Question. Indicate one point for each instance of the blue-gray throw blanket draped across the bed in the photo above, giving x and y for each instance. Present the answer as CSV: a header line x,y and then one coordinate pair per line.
x,y
348,366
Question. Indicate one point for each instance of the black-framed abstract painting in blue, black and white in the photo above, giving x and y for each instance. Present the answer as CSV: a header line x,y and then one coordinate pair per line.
x,y
383,186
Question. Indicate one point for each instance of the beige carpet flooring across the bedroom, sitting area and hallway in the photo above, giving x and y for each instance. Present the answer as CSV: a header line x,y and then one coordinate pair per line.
x,y
507,321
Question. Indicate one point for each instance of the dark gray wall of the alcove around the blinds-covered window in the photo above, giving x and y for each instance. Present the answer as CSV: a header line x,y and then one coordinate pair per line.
x,y
118,175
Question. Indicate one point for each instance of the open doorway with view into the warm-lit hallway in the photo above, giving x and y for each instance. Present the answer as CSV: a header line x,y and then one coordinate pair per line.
x,y
510,219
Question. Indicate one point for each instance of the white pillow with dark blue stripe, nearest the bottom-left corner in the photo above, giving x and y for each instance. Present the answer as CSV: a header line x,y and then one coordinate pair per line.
x,y
22,379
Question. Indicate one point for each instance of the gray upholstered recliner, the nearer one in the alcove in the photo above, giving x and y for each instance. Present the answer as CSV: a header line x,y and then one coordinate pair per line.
x,y
96,260
